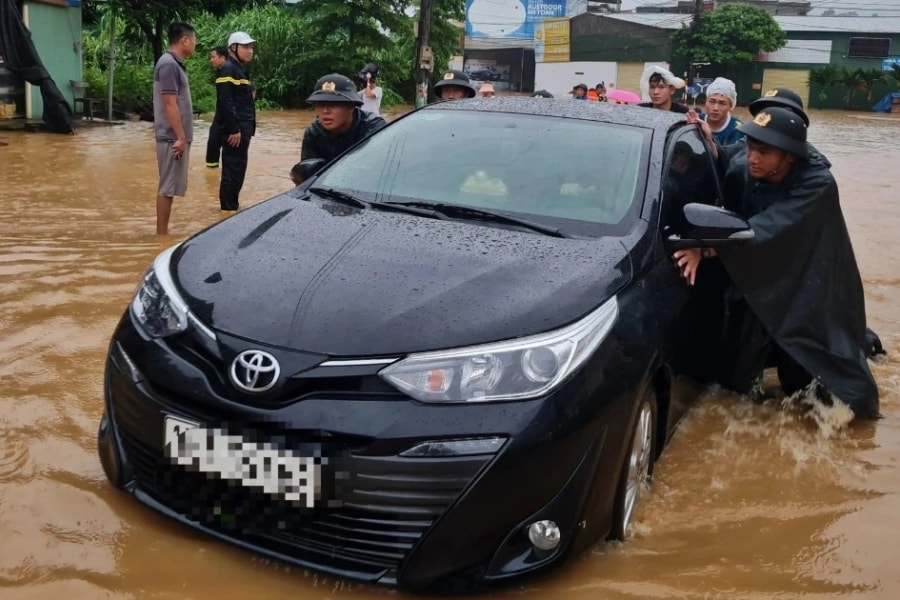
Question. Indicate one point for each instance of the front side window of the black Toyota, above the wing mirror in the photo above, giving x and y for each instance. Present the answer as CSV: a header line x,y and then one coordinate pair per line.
x,y
690,176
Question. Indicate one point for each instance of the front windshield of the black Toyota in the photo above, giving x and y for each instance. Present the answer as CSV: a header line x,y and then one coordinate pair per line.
x,y
581,176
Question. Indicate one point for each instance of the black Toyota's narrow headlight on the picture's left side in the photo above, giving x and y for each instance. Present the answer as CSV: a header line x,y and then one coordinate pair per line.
x,y
157,307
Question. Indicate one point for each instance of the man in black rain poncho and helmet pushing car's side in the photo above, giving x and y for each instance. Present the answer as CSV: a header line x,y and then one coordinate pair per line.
x,y
800,302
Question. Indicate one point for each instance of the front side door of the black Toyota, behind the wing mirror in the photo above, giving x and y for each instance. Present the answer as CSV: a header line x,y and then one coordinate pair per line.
x,y
695,317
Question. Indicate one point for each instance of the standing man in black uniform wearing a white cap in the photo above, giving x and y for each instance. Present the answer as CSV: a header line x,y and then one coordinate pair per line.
x,y
235,109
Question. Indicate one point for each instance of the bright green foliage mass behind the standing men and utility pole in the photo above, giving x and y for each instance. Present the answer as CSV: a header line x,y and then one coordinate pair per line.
x,y
296,44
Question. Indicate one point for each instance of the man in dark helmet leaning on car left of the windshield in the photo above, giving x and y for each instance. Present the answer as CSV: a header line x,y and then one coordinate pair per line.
x,y
339,121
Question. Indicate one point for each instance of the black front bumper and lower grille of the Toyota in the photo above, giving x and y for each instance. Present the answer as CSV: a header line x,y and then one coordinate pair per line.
x,y
413,522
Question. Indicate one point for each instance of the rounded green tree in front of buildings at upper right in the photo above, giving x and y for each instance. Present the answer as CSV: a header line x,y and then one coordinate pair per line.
x,y
729,35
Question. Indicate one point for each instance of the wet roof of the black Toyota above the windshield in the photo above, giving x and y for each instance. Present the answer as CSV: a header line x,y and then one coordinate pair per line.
x,y
603,112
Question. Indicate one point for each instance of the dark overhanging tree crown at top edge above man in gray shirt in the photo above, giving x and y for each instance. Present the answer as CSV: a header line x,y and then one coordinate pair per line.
x,y
148,20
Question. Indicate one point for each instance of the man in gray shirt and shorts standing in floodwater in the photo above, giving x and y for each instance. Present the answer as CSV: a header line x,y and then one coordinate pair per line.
x,y
173,120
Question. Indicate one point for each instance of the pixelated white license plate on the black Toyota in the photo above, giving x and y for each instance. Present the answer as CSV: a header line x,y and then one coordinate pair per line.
x,y
275,471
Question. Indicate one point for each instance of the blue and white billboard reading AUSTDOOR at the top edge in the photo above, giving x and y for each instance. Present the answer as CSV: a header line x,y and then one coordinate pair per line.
x,y
510,19
